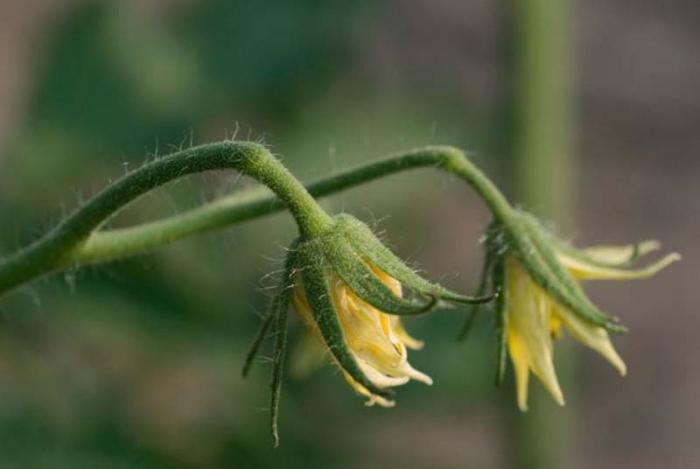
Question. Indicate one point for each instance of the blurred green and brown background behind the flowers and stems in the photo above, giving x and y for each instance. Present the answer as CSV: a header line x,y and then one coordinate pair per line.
x,y
137,363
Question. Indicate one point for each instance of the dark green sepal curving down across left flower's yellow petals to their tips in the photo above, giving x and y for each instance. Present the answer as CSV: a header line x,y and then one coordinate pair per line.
x,y
314,270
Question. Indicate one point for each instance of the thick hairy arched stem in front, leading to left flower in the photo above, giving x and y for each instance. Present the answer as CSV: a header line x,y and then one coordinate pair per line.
x,y
63,245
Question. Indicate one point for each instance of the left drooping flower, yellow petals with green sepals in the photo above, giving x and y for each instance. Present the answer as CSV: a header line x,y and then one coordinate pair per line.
x,y
351,290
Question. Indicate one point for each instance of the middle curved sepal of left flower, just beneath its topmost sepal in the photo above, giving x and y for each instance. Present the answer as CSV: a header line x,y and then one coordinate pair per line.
x,y
364,282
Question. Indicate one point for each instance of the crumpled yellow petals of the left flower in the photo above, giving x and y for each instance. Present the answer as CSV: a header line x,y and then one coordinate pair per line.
x,y
377,341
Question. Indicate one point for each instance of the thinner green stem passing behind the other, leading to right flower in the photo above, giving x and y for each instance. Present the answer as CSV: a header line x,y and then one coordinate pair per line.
x,y
252,204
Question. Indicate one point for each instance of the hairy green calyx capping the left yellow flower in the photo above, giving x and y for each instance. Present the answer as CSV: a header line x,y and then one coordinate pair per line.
x,y
350,250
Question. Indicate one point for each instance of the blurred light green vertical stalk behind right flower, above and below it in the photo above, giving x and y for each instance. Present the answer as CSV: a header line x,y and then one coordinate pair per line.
x,y
538,74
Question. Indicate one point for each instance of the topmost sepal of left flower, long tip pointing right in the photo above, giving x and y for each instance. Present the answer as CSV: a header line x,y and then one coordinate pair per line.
x,y
365,241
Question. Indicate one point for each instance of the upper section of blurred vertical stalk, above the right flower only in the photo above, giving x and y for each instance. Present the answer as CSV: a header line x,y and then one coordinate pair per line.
x,y
543,105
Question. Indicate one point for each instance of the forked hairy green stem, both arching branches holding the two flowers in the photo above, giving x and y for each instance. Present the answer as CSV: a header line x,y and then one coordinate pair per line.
x,y
78,241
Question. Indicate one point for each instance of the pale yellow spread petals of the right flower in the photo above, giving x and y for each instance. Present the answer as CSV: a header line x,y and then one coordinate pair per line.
x,y
535,317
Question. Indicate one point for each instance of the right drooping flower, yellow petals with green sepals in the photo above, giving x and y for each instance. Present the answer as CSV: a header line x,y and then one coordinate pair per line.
x,y
538,276
